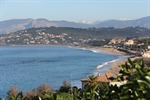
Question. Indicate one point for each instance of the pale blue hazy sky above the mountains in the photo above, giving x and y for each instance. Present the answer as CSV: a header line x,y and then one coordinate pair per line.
x,y
74,10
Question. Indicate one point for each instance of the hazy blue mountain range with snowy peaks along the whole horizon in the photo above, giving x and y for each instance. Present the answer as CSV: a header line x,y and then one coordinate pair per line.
x,y
21,24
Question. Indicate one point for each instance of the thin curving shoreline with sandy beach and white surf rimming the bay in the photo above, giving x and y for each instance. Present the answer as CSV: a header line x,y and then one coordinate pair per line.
x,y
113,66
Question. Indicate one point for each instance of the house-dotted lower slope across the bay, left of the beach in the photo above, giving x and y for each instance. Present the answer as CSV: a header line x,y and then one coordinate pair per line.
x,y
39,37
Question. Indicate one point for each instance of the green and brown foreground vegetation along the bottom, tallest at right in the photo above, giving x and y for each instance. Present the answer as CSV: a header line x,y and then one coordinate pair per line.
x,y
137,75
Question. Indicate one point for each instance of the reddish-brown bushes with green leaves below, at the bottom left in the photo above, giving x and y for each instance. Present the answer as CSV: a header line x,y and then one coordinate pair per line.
x,y
43,92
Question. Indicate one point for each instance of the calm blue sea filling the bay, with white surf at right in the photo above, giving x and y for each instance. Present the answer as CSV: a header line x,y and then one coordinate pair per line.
x,y
26,67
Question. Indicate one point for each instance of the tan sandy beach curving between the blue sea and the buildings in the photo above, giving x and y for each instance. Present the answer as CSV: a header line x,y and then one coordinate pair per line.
x,y
113,65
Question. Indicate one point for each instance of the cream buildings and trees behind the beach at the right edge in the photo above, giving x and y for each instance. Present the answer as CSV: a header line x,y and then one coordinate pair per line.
x,y
131,45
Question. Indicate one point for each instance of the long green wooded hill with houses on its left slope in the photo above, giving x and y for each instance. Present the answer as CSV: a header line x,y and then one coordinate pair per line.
x,y
69,36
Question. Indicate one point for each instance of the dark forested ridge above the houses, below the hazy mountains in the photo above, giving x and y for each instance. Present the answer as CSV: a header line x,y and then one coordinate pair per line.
x,y
104,33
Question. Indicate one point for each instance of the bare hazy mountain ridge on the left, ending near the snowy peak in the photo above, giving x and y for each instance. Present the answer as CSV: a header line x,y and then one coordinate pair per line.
x,y
21,24
